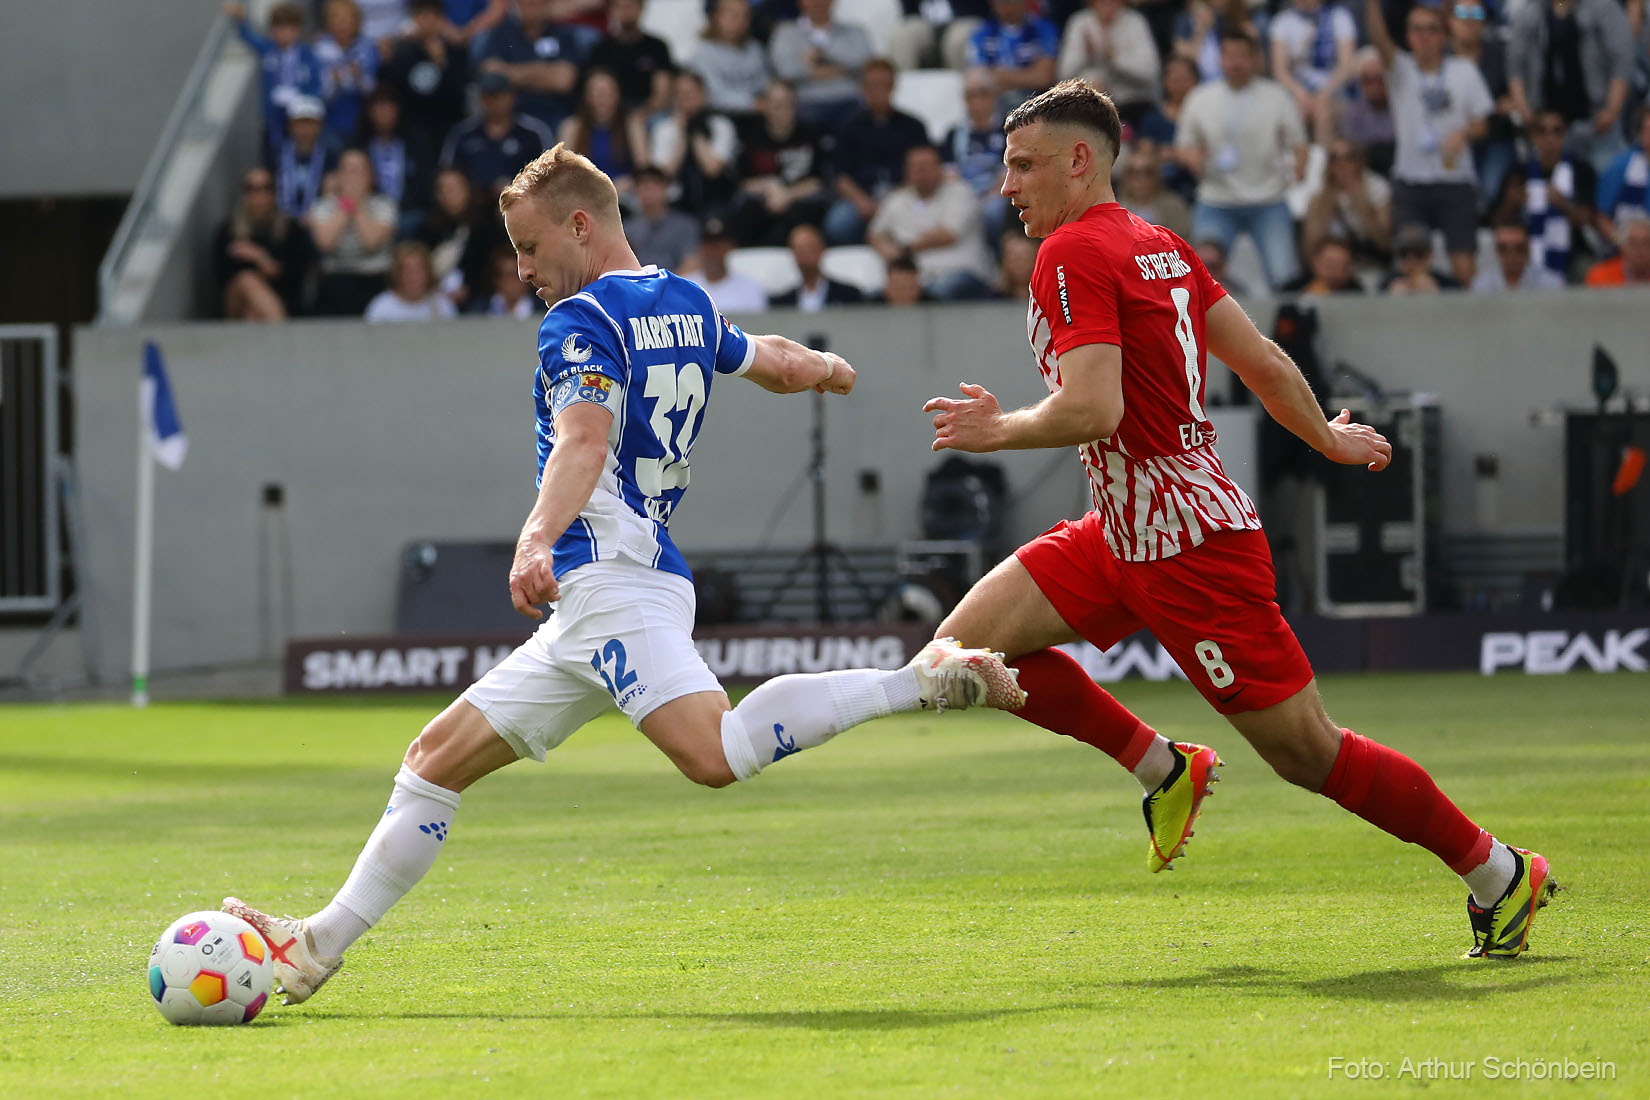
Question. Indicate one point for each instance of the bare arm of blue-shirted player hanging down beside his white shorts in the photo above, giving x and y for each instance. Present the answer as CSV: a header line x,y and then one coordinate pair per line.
x,y
570,477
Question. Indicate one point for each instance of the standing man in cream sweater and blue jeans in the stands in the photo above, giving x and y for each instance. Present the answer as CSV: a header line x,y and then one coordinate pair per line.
x,y
1235,136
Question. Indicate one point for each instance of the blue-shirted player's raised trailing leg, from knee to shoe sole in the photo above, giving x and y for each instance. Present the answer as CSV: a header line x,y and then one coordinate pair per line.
x,y
715,745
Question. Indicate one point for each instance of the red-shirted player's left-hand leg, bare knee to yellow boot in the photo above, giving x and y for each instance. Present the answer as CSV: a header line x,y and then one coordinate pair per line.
x,y
1007,611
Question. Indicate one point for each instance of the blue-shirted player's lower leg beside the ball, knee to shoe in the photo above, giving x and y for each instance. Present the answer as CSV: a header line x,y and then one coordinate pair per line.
x,y
456,750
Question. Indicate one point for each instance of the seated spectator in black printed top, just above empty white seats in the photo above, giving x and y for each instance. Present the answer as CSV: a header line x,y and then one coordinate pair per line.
x,y
781,172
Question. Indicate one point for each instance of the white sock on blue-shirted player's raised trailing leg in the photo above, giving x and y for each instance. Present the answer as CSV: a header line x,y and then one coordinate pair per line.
x,y
793,713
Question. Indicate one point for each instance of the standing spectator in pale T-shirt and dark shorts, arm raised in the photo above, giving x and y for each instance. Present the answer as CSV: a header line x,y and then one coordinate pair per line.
x,y
1441,106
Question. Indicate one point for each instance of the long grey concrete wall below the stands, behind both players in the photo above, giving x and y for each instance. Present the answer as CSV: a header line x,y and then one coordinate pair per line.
x,y
389,435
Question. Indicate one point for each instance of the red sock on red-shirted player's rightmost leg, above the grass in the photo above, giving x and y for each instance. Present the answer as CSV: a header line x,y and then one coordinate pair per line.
x,y
1392,792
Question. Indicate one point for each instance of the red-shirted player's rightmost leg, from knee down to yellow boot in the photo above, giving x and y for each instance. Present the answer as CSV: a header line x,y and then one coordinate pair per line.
x,y
1395,794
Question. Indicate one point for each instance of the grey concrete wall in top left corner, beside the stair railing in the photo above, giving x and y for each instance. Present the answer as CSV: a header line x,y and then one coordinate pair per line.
x,y
85,88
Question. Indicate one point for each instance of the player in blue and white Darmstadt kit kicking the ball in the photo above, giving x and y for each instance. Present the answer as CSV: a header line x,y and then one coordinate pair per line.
x,y
628,359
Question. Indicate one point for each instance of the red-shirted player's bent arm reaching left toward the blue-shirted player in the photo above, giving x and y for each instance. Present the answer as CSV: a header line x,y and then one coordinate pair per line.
x,y
1088,407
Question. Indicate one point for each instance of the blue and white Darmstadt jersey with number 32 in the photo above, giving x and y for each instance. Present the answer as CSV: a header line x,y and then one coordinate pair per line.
x,y
646,346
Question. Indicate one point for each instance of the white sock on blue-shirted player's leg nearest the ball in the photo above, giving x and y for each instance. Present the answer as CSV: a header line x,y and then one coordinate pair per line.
x,y
398,853
